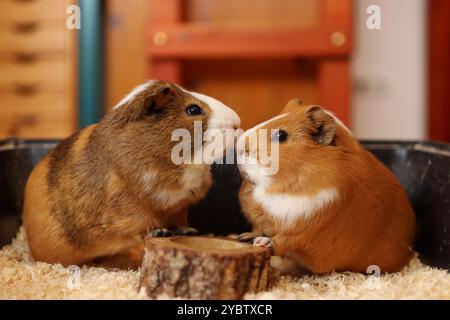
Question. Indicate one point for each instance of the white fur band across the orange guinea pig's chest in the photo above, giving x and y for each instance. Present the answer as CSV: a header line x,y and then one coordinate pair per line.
x,y
288,208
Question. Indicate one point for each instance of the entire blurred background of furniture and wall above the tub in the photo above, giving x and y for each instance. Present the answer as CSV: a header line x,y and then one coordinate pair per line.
x,y
387,82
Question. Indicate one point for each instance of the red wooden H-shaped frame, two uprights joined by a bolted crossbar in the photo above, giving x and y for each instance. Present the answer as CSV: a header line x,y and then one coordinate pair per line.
x,y
330,41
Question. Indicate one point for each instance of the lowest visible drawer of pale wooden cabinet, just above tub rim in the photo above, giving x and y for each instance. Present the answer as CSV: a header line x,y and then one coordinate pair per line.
x,y
43,115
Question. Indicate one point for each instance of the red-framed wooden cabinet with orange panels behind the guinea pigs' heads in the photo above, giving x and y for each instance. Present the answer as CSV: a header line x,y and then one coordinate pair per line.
x,y
255,55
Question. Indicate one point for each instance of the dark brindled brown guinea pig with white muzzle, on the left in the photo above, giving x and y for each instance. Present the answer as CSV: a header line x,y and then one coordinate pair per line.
x,y
98,192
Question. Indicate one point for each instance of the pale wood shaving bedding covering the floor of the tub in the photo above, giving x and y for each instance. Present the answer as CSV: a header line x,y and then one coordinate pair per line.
x,y
22,278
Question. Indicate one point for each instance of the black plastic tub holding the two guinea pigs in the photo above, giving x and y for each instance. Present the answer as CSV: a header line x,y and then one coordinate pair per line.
x,y
423,169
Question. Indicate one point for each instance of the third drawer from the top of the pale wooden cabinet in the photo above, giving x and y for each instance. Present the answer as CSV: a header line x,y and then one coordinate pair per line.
x,y
52,74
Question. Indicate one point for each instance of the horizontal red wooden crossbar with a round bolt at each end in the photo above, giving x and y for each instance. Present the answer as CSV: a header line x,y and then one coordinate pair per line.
x,y
200,41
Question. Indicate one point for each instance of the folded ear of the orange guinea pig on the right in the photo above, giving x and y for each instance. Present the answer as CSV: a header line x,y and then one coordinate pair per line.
x,y
324,125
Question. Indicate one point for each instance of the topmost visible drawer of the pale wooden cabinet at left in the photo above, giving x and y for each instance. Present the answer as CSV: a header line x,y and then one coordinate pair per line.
x,y
24,10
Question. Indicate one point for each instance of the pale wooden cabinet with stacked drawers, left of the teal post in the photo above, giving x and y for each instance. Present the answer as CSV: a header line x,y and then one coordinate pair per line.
x,y
37,69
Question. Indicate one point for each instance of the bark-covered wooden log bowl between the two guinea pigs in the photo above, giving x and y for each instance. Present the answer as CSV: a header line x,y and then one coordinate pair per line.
x,y
203,268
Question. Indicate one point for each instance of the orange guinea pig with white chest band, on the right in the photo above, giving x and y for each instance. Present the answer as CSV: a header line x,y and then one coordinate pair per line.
x,y
331,206
